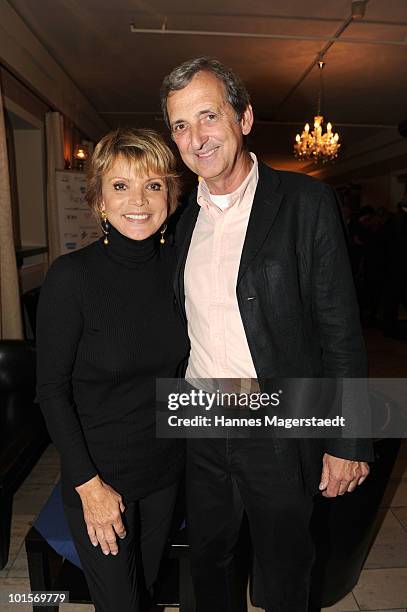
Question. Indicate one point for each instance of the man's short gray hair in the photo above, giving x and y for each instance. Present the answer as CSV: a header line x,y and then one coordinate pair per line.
x,y
236,92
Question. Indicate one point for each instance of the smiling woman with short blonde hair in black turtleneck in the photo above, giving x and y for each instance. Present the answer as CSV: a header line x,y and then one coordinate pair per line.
x,y
107,328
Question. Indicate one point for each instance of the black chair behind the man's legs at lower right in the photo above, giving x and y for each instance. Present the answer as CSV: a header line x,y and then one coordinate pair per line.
x,y
344,530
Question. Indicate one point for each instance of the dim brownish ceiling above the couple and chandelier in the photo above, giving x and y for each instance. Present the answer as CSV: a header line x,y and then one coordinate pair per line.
x,y
120,72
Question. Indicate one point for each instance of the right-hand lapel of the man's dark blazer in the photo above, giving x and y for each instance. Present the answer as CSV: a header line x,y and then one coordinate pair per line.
x,y
266,203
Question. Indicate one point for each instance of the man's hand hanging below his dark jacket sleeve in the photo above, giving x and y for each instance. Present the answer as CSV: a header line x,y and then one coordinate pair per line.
x,y
341,475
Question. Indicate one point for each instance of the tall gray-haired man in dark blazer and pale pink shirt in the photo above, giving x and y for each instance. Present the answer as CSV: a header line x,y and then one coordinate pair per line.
x,y
265,279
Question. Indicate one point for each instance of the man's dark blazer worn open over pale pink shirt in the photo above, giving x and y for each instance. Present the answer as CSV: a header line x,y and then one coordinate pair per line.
x,y
295,289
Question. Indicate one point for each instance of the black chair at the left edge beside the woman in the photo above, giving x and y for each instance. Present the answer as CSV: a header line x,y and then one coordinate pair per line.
x,y
23,433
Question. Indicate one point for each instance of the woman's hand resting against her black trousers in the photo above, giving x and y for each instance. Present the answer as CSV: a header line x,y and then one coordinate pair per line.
x,y
102,508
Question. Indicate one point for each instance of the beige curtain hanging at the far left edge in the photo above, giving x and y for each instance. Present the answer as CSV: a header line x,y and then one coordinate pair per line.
x,y
10,306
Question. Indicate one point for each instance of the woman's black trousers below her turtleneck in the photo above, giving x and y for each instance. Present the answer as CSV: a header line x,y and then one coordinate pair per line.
x,y
122,582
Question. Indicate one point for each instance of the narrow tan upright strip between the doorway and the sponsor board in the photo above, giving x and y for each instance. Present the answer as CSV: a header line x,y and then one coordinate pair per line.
x,y
54,127
